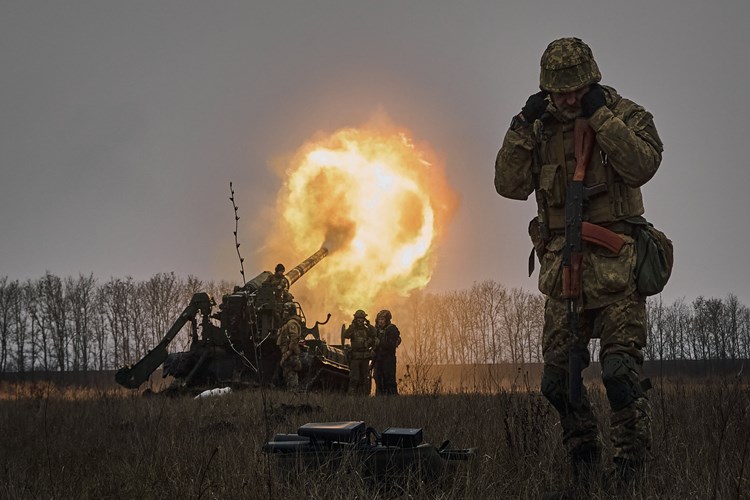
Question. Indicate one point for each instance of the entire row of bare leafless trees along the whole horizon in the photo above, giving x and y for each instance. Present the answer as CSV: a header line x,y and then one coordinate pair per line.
x,y
82,324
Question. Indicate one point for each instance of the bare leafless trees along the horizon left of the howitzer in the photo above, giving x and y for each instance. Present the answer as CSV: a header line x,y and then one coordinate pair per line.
x,y
81,324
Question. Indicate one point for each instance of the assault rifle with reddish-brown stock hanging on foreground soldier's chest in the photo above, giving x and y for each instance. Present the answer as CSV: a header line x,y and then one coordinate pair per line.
x,y
576,232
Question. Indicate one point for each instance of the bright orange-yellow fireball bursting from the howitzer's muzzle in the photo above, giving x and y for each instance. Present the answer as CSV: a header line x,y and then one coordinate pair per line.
x,y
377,201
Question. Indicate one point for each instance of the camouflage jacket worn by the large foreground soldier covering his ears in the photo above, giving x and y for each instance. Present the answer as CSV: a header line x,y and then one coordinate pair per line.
x,y
626,155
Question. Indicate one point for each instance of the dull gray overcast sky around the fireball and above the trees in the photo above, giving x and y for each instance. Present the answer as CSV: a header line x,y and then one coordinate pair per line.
x,y
122,123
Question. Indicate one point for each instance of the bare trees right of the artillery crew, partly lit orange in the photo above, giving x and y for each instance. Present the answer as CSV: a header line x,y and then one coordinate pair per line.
x,y
489,323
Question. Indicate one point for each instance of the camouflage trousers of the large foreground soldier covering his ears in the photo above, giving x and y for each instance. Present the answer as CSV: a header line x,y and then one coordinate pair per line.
x,y
621,326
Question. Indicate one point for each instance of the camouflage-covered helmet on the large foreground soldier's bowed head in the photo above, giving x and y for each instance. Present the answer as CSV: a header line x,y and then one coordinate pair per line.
x,y
567,65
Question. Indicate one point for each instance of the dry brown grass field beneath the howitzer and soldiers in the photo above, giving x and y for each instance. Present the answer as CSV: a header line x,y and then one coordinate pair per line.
x,y
74,442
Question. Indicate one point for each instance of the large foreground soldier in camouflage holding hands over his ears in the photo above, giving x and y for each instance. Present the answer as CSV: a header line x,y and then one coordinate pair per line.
x,y
538,155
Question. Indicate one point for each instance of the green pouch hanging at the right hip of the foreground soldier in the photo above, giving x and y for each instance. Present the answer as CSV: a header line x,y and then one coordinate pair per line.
x,y
655,257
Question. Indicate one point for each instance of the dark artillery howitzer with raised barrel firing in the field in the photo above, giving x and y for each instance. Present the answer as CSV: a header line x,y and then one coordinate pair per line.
x,y
242,347
